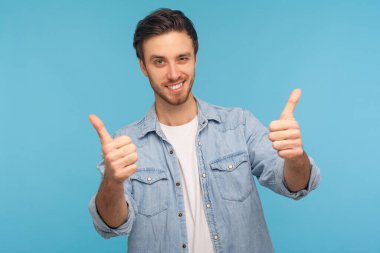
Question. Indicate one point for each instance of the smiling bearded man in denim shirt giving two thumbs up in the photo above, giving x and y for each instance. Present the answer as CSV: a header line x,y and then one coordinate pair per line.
x,y
180,179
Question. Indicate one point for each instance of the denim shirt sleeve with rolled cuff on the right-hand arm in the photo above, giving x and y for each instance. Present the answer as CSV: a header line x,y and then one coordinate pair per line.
x,y
267,166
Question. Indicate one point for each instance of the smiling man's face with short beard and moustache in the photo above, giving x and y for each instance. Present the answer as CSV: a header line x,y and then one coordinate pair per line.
x,y
169,63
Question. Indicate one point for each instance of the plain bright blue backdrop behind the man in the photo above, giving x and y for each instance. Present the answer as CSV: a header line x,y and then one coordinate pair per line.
x,y
62,60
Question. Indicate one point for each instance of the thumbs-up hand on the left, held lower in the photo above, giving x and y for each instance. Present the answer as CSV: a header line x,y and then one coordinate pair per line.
x,y
120,154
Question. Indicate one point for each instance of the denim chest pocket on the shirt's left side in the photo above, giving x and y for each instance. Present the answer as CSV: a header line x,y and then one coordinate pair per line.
x,y
150,191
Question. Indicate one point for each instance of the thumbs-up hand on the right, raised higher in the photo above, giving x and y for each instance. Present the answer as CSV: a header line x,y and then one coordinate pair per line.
x,y
285,133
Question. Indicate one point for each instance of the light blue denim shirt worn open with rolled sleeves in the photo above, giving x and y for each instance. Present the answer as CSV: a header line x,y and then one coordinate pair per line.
x,y
232,146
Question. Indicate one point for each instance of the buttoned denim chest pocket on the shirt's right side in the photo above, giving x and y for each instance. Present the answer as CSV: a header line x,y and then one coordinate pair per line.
x,y
233,176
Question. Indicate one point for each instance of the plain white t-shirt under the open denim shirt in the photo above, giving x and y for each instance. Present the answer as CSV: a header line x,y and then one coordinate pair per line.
x,y
182,138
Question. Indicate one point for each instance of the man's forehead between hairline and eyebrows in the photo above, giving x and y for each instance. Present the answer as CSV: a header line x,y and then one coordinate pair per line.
x,y
168,45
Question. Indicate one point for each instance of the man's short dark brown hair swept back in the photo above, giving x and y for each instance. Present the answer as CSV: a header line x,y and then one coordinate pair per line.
x,y
162,21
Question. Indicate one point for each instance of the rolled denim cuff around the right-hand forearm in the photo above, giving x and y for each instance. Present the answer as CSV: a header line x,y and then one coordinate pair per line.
x,y
313,182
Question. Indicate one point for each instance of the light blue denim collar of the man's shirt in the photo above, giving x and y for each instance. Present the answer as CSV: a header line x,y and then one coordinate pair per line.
x,y
206,112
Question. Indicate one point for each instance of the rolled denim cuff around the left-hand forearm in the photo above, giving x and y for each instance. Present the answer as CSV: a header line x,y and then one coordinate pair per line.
x,y
103,229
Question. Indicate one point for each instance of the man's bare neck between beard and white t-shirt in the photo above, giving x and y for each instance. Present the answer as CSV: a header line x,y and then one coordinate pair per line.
x,y
176,115
